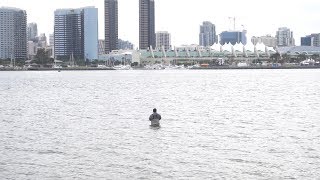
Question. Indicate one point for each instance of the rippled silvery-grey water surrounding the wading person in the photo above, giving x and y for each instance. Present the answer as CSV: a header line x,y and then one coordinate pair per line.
x,y
225,124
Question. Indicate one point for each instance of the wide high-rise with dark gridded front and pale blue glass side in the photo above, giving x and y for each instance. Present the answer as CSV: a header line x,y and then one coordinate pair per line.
x,y
76,33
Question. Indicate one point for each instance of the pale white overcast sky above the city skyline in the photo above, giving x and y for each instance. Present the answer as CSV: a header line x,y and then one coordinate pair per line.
x,y
183,17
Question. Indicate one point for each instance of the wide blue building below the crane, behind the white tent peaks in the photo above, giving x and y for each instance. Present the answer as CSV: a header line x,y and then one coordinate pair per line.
x,y
233,37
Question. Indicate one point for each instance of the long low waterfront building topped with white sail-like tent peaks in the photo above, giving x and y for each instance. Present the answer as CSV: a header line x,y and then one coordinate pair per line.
x,y
189,54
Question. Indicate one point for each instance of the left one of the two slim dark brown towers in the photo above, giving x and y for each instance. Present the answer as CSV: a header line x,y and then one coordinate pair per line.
x,y
111,25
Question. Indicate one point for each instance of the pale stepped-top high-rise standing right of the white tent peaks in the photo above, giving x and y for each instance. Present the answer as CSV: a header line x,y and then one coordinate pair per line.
x,y
285,37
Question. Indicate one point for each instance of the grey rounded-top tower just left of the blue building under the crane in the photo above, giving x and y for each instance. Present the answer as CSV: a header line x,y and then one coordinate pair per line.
x,y
207,36
